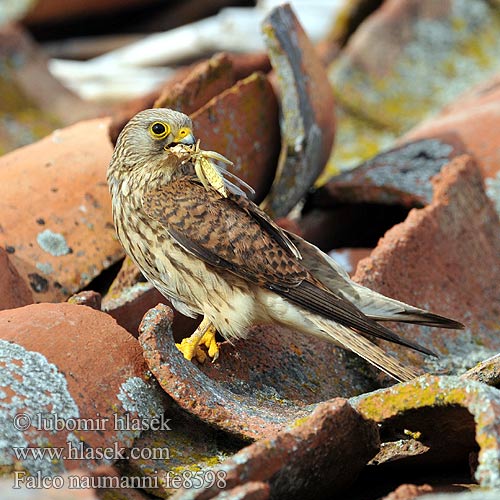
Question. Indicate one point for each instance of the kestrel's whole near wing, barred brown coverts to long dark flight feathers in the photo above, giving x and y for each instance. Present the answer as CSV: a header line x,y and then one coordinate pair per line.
x,y
235,235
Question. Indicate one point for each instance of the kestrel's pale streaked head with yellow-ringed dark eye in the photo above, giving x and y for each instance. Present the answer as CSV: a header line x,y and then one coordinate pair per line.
x,y
144,143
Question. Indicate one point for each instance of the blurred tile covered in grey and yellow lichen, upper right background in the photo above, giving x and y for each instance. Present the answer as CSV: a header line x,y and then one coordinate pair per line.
x,y
439,59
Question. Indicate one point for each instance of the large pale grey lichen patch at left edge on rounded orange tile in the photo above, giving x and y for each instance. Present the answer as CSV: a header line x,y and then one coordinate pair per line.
x,y
32,386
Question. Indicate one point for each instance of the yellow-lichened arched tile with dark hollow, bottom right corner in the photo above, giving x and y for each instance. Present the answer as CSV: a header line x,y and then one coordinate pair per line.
x,y
449,415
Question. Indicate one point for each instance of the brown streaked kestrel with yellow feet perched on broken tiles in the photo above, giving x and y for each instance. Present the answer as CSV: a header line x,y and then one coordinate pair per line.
x,y
212,251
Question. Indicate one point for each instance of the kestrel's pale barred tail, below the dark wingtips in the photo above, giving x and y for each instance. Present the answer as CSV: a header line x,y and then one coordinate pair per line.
x,y
363,347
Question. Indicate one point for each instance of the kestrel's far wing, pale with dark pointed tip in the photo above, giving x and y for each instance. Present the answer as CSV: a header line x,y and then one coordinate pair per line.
x,y
371,303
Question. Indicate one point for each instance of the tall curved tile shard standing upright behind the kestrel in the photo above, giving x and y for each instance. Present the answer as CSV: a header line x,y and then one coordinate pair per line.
x,y
307,108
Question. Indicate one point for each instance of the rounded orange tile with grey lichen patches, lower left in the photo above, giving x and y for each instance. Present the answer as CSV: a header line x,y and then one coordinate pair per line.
x,y
69,376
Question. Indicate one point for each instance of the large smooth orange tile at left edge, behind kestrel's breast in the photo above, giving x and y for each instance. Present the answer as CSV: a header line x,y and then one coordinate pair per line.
x,y
57,188
